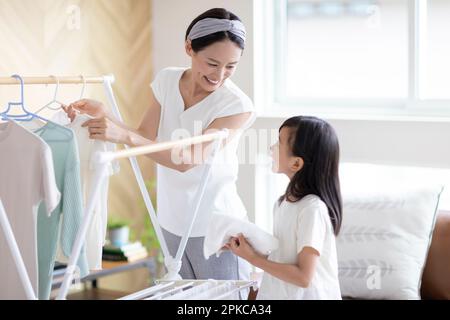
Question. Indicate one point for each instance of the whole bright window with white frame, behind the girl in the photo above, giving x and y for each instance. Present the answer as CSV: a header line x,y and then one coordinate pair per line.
x,y
347,55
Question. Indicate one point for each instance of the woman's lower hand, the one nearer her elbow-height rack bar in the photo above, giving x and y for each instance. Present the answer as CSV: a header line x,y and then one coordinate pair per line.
x,y
106,130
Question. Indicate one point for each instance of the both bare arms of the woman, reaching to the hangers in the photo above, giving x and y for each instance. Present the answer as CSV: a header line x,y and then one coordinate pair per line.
x,y
107,128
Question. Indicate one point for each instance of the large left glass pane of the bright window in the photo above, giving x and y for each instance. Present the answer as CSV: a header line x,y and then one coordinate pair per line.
x,y
344,49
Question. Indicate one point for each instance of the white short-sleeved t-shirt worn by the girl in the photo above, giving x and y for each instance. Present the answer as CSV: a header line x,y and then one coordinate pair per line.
x,y
305,223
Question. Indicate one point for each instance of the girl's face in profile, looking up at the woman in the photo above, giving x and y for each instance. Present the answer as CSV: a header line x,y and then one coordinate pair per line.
x,y
283,159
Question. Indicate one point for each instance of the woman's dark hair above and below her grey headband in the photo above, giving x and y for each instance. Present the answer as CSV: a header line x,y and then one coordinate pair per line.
x,y
218,13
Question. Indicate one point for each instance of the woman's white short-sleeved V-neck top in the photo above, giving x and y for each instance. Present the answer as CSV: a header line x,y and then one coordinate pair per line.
x,y
176,191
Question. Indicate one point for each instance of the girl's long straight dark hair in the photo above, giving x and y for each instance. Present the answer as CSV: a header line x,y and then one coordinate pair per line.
x,y
316,142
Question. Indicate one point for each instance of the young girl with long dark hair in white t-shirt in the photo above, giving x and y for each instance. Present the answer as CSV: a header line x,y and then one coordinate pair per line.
x,y
306,218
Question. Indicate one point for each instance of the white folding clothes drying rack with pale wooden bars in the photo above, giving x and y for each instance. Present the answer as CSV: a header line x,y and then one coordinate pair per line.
x,y
101,159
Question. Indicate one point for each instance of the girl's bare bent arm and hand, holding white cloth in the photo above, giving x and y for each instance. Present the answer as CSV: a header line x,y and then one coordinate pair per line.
x,y
299,274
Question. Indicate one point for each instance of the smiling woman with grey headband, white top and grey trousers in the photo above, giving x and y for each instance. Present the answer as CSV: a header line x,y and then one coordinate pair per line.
x,y
192,100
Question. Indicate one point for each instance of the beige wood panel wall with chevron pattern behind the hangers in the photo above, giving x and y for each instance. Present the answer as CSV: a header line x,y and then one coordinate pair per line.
x,y
89,37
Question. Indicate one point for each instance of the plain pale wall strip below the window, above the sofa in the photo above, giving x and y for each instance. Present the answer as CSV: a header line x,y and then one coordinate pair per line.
x,y
408,143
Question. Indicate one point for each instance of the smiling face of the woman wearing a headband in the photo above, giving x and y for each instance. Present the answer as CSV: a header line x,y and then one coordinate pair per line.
x,y
214,64
